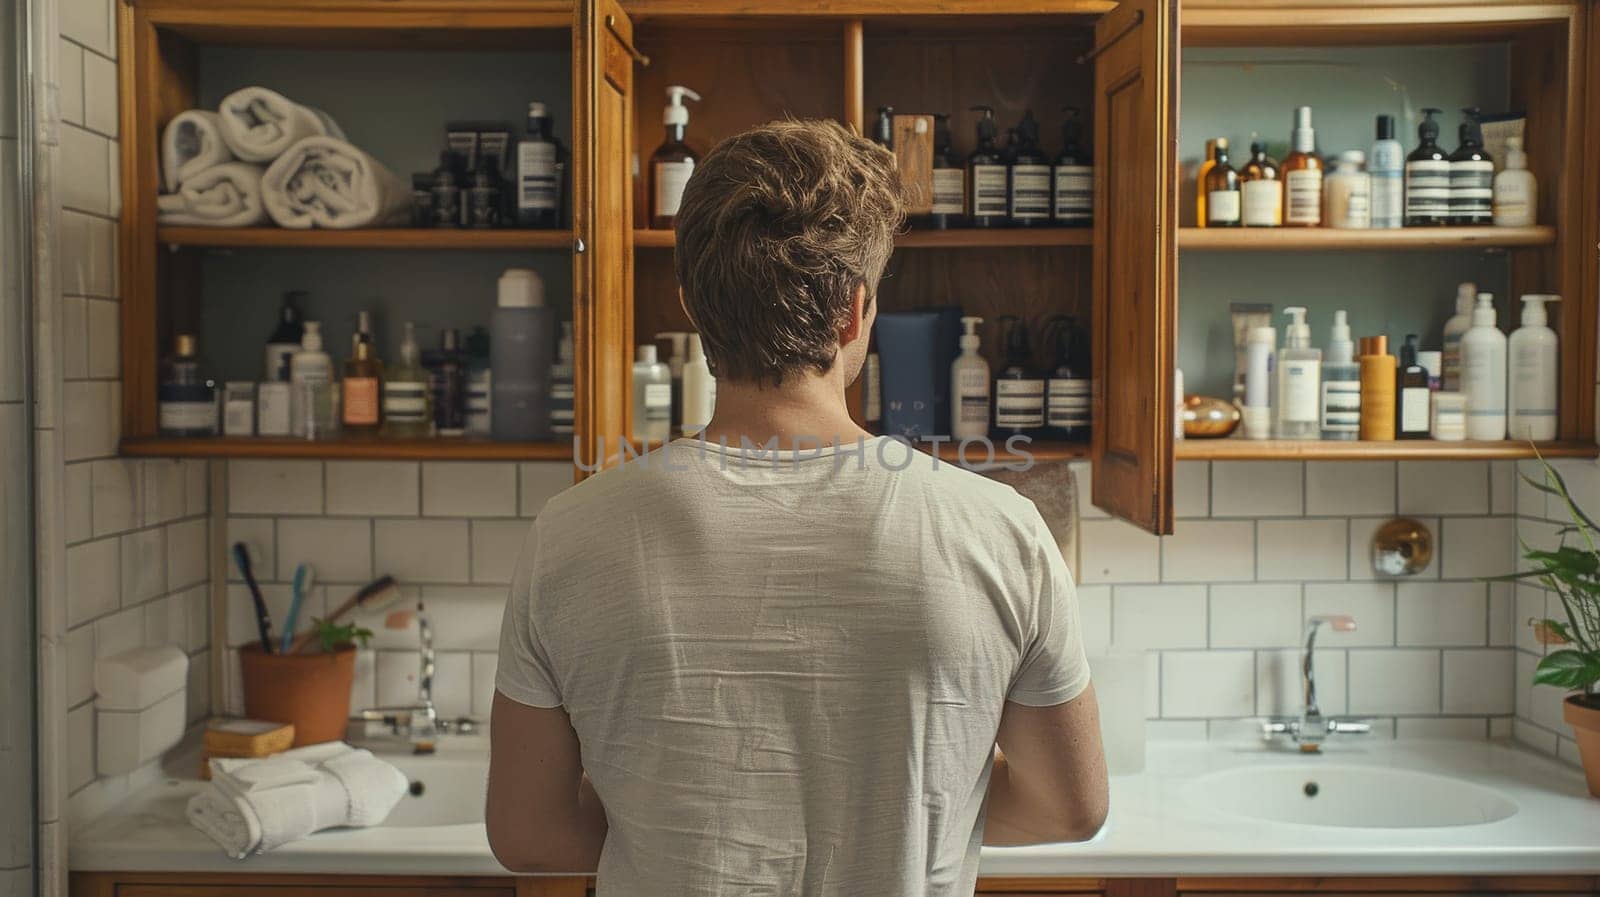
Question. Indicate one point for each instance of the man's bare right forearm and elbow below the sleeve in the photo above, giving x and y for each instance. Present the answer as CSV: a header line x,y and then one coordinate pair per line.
x,y
1050,784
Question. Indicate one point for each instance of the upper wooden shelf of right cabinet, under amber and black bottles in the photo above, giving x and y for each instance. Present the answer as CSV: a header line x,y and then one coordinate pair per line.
x,y
1329,239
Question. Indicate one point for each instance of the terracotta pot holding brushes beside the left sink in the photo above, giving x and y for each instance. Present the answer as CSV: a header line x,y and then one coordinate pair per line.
x,y
313,692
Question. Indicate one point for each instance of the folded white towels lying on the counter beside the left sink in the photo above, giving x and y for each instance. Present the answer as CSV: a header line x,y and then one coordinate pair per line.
x,y
258,805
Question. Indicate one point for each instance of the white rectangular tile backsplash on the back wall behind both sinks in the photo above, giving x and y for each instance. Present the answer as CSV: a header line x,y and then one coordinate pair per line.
x,y
1220,605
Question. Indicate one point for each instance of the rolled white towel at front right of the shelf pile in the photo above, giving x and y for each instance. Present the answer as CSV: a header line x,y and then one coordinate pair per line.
x,y
329,183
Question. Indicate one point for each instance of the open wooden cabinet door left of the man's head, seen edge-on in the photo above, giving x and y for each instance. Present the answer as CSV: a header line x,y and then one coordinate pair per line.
x,y
602,231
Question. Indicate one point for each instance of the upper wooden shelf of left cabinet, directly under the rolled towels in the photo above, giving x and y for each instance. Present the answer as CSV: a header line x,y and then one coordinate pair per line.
x,y
370,239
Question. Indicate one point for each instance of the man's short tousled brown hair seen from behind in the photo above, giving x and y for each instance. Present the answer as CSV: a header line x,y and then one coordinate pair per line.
x,y
777,231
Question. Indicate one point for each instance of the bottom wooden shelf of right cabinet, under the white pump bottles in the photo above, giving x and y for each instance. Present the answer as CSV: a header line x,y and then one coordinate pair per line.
x,y
1401,450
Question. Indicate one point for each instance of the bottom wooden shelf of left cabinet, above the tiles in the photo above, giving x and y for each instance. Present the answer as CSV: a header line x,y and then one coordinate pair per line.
x,y
348,450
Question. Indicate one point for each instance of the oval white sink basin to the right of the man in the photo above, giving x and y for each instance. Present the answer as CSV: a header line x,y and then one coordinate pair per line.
x,y
1361,797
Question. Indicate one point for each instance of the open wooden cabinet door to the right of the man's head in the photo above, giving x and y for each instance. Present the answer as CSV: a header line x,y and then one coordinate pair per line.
x,y
1135,260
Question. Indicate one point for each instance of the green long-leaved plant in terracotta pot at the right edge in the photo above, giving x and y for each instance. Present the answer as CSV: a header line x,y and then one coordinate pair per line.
x,y
1572,572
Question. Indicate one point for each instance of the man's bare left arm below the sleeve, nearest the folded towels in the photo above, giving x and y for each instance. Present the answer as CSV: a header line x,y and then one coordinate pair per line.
x,y
543,813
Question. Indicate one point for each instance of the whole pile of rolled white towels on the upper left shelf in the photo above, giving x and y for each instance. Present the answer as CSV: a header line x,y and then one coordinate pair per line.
x,y
263,156
